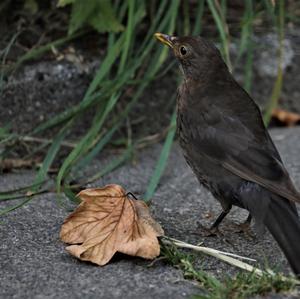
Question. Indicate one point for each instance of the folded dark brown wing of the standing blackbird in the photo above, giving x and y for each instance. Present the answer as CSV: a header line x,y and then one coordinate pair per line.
x,y
239,142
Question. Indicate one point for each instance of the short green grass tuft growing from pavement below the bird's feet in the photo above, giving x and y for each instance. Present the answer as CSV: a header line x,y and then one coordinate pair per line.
x,y
242,285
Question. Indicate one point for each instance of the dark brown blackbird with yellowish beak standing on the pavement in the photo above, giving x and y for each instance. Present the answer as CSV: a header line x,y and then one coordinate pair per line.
x,y
228,147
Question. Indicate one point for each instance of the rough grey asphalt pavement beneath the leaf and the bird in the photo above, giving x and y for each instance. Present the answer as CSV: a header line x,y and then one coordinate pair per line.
x,y
34,263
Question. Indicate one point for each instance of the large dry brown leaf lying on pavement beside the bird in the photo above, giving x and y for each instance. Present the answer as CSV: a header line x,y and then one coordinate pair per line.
x,y
107,221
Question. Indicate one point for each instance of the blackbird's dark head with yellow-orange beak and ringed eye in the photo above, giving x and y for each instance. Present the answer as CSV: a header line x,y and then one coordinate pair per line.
x,y
198,57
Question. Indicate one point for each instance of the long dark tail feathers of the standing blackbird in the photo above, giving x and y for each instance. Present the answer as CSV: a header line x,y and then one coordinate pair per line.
x,y
283,222
